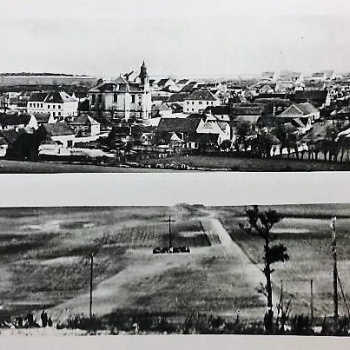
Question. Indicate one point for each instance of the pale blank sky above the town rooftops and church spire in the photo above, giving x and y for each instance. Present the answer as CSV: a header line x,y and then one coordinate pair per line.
x,y
175,37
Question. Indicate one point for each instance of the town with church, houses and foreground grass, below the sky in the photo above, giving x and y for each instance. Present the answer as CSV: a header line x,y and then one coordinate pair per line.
x,y
275,121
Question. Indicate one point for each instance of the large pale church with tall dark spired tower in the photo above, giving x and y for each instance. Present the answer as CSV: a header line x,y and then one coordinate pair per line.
x,y
122,98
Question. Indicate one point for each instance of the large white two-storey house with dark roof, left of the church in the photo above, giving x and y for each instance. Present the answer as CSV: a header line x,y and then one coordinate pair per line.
x,y
58,104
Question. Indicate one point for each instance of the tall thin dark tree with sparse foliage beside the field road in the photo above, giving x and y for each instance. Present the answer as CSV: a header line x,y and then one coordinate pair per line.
x,y
261,223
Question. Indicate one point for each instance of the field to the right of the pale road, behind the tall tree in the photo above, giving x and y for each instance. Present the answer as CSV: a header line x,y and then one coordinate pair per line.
x,y
306,232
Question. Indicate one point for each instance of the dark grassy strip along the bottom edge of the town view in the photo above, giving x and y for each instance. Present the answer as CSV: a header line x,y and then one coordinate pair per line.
x,y
196,163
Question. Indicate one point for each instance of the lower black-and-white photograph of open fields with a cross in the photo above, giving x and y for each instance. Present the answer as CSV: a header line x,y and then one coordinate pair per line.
x,y
184,269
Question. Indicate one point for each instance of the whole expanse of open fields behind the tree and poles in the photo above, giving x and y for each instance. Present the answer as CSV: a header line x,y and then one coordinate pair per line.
x,y
44,255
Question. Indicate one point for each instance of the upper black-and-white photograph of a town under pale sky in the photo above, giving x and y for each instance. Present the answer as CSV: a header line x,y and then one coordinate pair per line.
x,y
174,86
